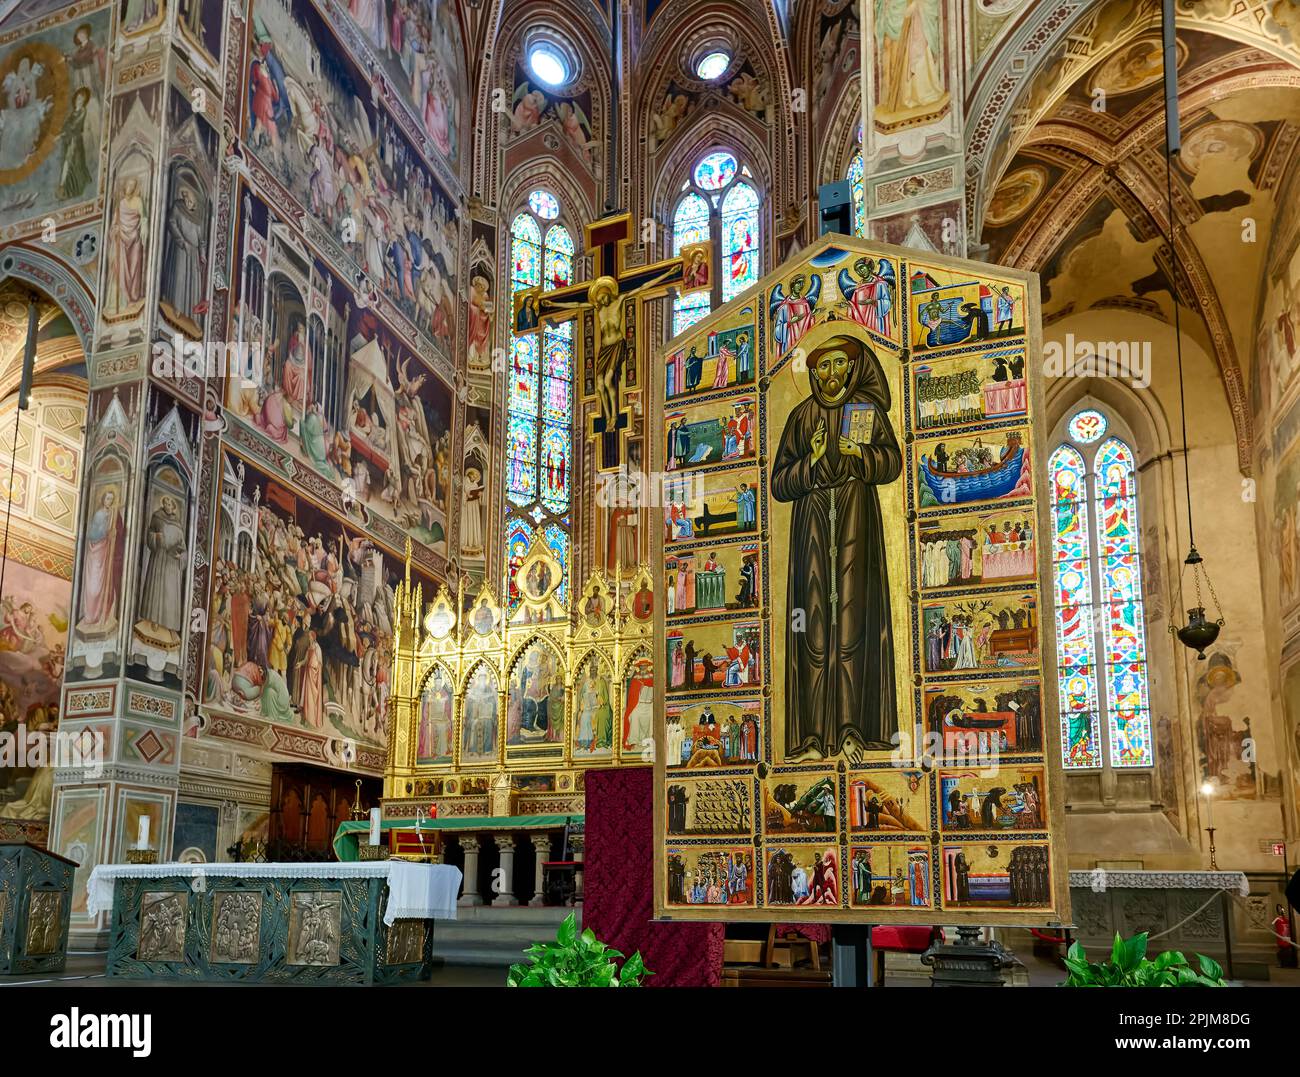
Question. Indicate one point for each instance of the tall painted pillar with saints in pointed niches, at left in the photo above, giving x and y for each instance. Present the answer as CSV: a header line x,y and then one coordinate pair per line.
x,y
137,637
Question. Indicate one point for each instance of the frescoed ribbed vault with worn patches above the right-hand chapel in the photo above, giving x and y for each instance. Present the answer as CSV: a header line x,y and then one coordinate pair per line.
x,y
1085,198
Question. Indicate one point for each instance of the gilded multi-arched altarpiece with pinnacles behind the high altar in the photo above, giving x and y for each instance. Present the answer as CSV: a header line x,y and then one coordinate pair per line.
x,y
500,708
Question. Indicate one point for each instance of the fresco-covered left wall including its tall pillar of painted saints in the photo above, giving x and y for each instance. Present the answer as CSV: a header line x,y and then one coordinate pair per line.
x,y
254,214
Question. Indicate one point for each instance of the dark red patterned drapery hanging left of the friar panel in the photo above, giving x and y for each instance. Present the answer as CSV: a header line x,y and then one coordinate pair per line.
x,y
619,885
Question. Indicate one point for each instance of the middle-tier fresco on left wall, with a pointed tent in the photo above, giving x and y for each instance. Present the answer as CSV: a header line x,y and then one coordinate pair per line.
x,y
341,390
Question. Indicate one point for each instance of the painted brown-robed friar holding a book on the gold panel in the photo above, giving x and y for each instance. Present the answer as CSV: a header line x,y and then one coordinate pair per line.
x,y
839,654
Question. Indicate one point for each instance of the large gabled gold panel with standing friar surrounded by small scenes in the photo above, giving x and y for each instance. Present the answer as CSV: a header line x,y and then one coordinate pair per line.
x,y
857,719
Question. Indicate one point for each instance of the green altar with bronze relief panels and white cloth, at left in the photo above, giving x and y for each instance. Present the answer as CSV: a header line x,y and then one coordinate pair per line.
x,y
367,923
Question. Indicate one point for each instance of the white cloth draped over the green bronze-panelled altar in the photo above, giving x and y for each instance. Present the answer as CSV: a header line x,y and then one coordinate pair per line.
x,y
417,892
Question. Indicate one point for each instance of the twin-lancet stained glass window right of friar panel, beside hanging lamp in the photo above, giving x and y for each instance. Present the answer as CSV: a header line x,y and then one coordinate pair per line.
x,y
1102,642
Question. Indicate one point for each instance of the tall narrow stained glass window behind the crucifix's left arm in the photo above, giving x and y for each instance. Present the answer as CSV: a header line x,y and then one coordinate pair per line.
x,y
540,396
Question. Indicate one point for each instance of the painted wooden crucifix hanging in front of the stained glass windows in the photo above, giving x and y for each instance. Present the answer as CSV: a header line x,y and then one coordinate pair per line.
x,y
609,295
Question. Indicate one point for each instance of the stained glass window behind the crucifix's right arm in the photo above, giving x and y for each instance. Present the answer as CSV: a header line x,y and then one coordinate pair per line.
x,y
720,204
